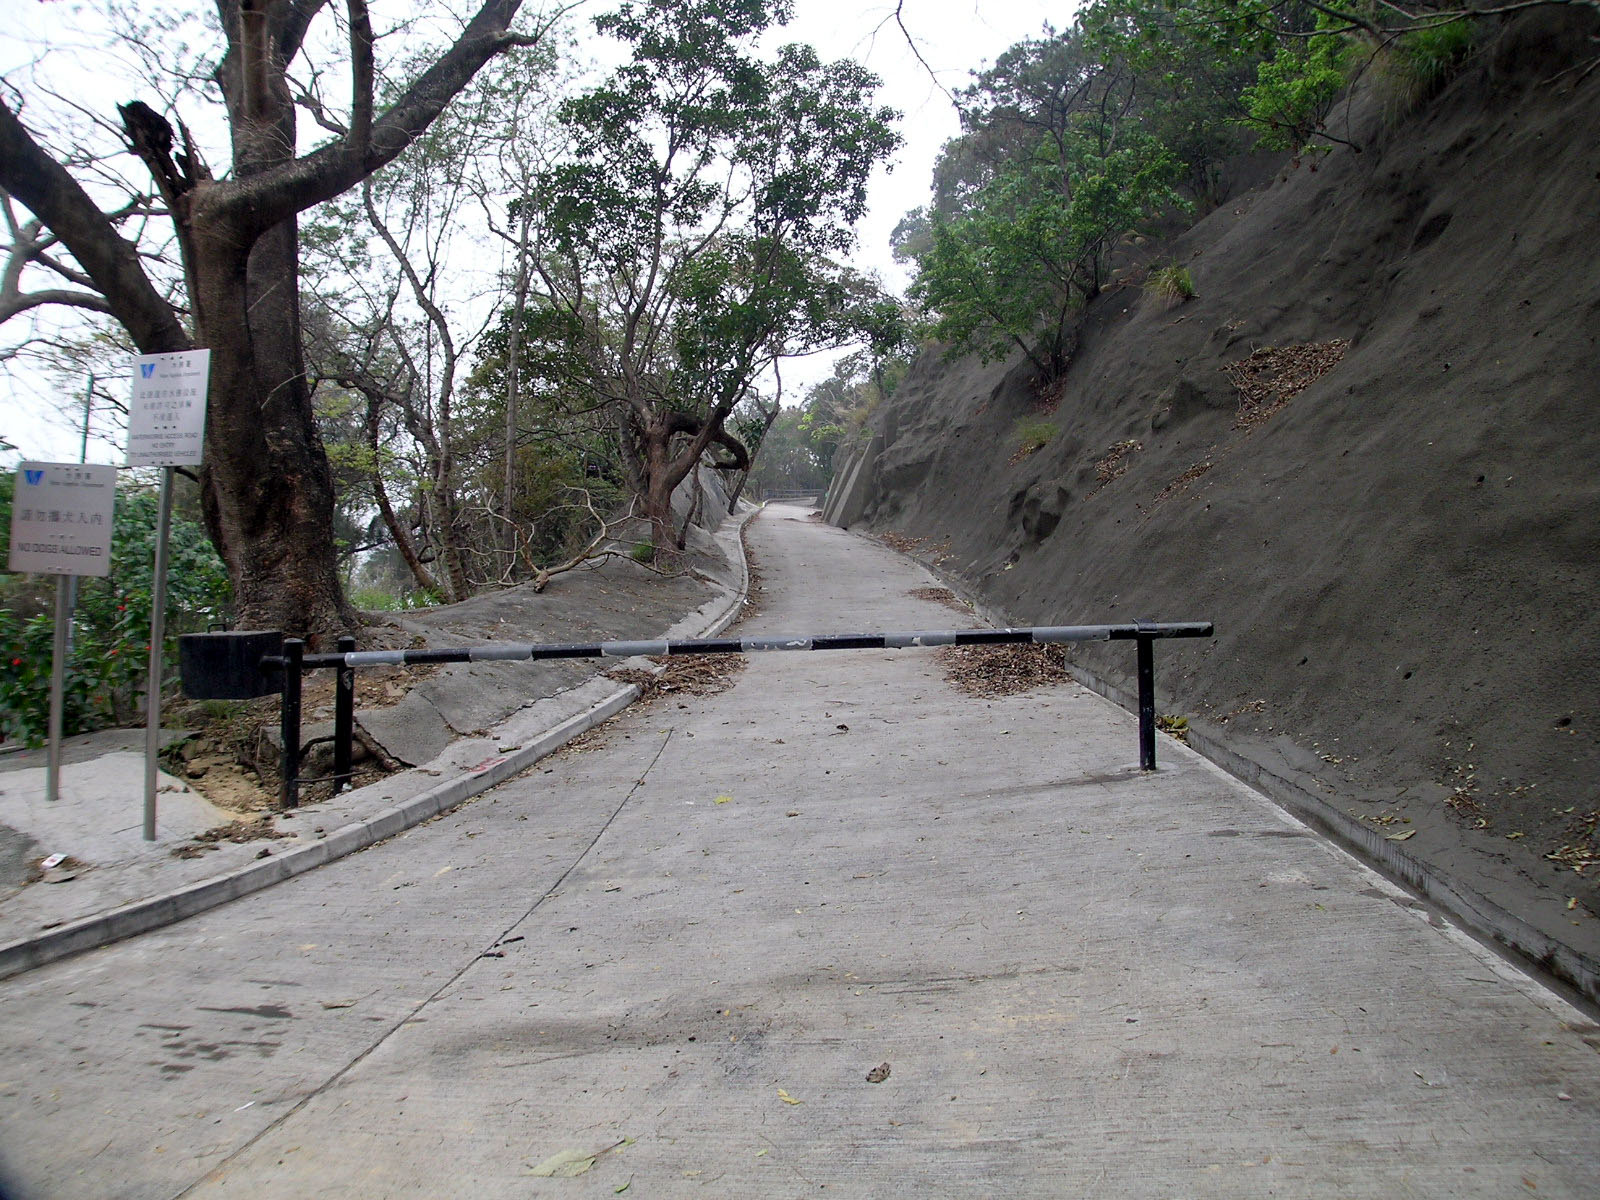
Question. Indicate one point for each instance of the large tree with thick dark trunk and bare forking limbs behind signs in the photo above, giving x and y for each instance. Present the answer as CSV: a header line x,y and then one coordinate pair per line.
x,y
268,490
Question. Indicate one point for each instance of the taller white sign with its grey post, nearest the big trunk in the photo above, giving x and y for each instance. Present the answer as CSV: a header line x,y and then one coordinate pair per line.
x,y
166,430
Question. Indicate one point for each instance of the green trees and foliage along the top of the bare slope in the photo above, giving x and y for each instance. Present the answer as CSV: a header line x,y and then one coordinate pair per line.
x,y
1074,140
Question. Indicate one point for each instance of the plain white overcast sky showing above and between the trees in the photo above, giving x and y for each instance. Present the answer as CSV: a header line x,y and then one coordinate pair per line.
x,y
953,36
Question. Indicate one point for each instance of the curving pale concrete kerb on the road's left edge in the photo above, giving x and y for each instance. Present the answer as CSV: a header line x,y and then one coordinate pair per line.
x,y
143,916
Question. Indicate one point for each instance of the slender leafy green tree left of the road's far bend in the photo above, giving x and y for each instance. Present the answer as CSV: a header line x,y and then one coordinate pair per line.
x,y
694,233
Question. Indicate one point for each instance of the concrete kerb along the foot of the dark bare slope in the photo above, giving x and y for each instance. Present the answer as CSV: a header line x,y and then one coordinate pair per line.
x,y
1474,913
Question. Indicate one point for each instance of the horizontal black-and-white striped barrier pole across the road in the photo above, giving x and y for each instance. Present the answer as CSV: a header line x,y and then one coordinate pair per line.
x,y
518,652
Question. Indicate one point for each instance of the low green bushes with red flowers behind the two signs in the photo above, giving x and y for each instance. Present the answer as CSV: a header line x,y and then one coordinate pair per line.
x,y
110,658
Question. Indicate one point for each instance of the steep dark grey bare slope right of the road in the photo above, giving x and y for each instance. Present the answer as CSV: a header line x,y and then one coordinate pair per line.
x,y
1369,449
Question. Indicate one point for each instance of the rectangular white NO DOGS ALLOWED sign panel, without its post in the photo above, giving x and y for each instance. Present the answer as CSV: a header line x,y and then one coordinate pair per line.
x,y
62,518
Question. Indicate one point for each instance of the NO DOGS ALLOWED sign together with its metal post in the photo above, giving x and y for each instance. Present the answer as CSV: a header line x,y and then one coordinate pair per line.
x,y
62,519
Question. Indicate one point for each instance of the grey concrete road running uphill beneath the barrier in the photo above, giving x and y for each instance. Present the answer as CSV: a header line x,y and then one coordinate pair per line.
x,y
838,930
